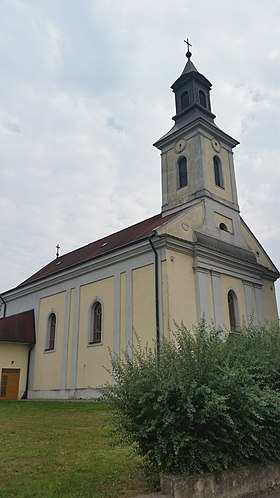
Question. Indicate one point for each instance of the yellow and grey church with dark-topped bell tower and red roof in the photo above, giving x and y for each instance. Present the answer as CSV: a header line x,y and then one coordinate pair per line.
x,y
196,258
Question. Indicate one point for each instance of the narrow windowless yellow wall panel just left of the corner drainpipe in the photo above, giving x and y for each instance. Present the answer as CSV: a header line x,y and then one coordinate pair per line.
x,y
144,320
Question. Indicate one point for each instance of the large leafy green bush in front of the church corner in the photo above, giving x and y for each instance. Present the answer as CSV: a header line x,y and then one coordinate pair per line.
x,y
203,403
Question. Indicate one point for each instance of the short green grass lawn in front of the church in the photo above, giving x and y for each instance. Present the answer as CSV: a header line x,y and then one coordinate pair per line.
x,y
63,450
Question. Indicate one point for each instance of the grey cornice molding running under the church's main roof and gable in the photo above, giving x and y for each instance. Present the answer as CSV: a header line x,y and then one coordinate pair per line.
x,y
204,259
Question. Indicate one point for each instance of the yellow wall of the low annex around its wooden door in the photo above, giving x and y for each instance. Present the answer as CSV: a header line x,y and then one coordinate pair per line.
x,y
15,356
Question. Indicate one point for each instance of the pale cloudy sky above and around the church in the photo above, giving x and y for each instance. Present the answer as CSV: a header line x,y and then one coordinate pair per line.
x,y
85,92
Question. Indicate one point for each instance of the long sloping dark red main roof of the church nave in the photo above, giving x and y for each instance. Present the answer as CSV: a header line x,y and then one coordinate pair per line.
x,y
115,241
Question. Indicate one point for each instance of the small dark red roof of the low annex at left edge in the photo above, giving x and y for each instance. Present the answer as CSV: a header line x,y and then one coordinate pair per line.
x,y
18,328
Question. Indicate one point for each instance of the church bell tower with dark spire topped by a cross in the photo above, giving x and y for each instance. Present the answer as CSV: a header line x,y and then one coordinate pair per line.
x,y
197,159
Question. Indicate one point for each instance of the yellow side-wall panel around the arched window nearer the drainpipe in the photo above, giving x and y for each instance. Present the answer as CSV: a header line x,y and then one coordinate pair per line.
x,y
94,359
